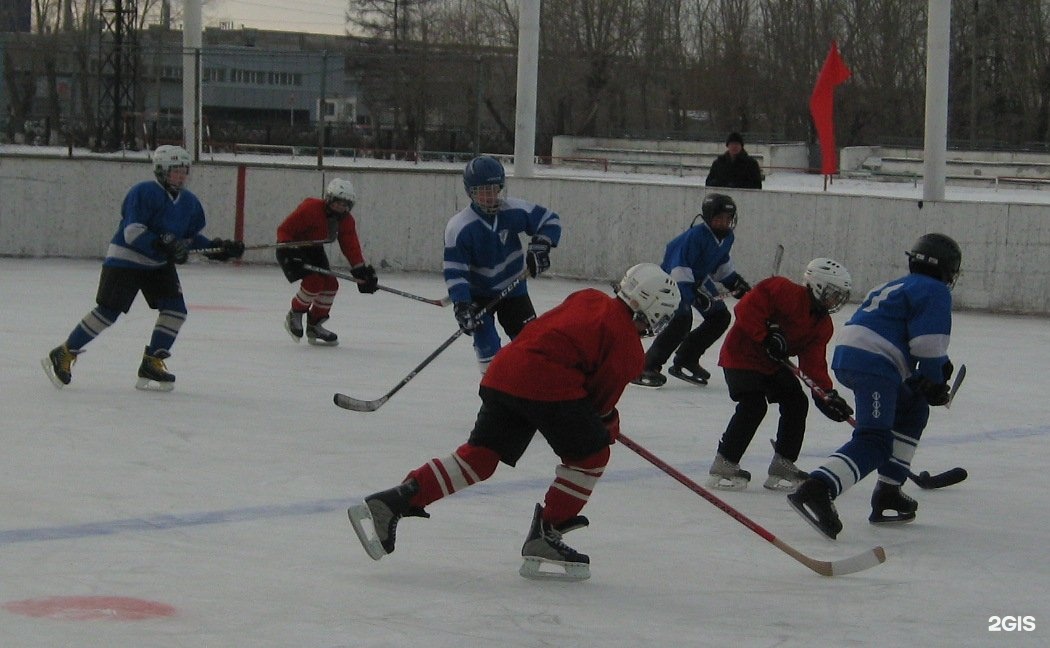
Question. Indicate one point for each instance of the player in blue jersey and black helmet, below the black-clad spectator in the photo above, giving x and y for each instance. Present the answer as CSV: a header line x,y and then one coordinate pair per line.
x,y
698,260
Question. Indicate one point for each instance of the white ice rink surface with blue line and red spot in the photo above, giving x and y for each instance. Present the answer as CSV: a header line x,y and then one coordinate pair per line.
x,y
216,515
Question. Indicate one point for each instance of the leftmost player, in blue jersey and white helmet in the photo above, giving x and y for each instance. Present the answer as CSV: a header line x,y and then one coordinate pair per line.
x,y
161,223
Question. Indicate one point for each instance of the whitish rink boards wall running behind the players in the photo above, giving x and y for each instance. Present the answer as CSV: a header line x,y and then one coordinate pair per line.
x,y
60,207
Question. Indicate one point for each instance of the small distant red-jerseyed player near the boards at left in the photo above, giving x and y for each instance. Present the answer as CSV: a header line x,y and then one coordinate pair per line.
x,y
329,220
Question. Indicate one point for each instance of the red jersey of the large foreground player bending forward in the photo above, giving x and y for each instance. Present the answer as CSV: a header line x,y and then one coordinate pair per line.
x,y
585,348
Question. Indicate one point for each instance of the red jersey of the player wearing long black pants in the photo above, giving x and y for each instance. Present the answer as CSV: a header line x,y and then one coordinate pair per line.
x,y
785,303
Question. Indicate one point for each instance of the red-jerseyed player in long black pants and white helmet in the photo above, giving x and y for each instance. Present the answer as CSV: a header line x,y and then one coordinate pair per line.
x,y
778,320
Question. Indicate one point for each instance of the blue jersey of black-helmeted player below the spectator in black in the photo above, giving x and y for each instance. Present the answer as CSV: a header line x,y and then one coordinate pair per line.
x,y
697,256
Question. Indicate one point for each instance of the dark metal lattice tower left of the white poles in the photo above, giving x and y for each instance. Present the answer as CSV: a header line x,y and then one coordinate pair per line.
x,y
118,73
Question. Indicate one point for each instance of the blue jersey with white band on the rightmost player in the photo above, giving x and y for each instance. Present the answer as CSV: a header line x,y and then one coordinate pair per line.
x,y
902,328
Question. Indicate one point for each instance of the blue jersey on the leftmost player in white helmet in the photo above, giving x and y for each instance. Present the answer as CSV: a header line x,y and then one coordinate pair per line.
x,y
150,213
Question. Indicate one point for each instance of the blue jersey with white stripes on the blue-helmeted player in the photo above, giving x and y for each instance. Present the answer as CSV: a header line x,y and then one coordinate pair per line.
x,y
485,255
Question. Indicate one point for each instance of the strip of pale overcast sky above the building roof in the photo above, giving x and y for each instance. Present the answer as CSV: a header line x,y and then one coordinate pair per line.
x,y
312,16
